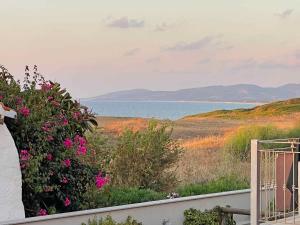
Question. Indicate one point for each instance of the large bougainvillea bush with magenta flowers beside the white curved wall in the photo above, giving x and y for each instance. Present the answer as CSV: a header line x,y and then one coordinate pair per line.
x,y
49,136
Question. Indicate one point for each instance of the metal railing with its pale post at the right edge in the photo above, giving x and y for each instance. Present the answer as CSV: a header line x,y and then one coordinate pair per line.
x,y
275,181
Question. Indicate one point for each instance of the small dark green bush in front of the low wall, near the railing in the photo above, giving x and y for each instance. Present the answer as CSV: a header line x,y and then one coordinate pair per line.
x,y
208,217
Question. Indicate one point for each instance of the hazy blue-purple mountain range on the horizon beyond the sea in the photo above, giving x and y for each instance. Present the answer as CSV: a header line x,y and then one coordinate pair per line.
x,y
232,93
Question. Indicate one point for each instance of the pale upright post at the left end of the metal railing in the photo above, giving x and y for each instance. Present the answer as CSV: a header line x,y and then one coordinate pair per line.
x,y
255,185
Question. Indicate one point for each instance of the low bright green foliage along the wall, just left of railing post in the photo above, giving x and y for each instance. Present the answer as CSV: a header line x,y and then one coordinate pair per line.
x,y
228,183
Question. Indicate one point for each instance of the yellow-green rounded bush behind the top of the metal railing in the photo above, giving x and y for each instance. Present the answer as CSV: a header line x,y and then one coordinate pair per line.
x,y
239,144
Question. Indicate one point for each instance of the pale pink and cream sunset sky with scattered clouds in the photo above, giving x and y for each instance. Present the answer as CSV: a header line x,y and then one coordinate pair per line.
x,y
94,47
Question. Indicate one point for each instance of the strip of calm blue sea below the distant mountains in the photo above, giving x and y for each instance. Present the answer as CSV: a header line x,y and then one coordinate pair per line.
x,y
172,110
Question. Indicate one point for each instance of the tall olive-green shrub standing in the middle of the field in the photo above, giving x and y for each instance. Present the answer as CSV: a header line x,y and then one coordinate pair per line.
x,y
146,159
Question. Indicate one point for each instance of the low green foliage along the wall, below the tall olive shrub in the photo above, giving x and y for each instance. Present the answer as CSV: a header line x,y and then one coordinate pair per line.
x,y
114,196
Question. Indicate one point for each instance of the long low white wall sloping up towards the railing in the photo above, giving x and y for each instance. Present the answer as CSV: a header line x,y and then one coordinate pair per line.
x,y
150,213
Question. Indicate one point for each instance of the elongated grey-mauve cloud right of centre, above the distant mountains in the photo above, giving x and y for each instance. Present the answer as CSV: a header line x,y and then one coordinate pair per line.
x,y
196,45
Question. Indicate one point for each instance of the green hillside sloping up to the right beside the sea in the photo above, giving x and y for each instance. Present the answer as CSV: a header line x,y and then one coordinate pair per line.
x,y
271,109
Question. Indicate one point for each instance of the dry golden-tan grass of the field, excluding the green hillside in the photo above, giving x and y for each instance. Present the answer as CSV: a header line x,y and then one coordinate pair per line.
x,y
203,141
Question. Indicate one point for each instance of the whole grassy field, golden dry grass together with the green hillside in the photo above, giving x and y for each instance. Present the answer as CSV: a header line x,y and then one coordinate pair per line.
x,y
203,136
